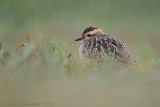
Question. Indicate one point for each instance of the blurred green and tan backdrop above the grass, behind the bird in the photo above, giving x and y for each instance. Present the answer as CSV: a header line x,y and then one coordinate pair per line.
x,y
133,21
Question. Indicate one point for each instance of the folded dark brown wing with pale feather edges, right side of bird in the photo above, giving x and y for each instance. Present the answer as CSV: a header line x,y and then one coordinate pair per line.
x,y
116,47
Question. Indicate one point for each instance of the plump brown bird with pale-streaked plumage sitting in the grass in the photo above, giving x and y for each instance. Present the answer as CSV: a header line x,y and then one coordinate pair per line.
x,y
96,45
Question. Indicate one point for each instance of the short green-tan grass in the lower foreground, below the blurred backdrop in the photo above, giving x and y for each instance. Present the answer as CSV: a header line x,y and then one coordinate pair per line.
x,y
40,72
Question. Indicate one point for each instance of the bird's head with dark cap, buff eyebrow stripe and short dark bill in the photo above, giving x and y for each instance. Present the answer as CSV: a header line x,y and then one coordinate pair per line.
x,y
90,33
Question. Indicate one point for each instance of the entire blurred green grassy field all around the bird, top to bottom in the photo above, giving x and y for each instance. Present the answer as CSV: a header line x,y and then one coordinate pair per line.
x,y
40,74
